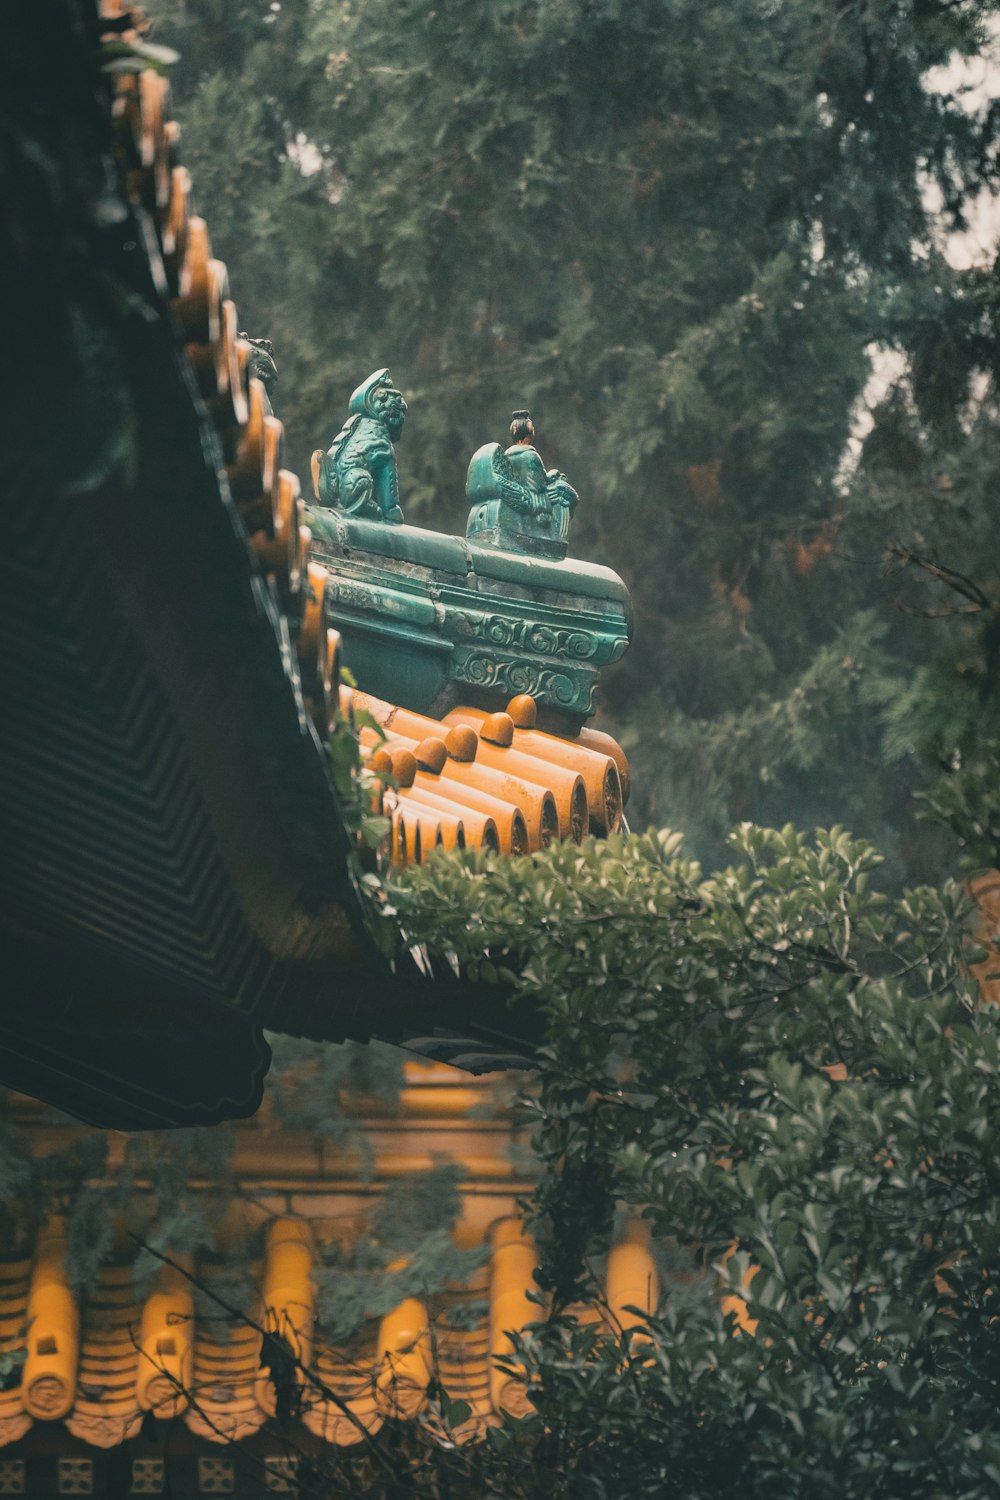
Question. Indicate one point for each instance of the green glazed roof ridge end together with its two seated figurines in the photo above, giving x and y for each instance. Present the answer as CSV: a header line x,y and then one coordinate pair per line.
x,y
434,620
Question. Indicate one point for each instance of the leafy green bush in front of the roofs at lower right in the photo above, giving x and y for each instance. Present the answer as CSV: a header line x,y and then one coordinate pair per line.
x,y
692,1072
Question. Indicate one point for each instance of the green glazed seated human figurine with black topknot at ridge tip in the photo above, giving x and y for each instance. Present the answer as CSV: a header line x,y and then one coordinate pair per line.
x,y
519,505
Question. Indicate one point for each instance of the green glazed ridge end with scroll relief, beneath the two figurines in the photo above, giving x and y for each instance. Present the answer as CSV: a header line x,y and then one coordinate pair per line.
x,y
436,622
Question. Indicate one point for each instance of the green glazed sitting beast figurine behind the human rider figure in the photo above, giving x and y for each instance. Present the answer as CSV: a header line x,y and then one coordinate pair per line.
x,y
358,475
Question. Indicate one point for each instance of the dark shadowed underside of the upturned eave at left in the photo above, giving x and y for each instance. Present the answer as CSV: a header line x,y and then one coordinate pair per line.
x,y
175,865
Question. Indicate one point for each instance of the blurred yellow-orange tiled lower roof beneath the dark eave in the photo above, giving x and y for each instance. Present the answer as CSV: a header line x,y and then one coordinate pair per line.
x,y
173,1384
